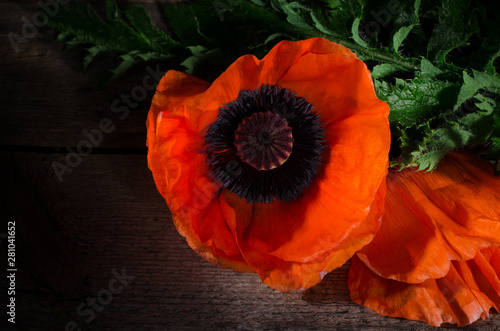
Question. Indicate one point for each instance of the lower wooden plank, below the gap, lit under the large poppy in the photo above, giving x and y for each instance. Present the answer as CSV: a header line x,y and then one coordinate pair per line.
x,y
106,218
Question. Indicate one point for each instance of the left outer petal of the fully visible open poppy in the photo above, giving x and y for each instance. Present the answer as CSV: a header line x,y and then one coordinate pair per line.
x,y
173,158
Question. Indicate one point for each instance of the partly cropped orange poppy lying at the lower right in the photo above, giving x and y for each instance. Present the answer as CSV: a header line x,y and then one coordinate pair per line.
x,y
436,256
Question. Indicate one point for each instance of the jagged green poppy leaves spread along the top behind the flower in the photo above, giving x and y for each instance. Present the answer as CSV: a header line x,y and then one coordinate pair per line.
x,y
434,63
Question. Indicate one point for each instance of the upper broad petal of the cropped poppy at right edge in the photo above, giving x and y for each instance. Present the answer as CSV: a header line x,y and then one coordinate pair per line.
x,y
432,218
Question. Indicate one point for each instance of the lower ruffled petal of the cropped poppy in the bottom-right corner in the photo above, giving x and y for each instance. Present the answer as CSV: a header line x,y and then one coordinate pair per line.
x,y
466,293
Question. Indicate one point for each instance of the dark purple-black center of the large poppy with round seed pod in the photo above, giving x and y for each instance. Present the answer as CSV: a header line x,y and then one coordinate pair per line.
x,y
265,145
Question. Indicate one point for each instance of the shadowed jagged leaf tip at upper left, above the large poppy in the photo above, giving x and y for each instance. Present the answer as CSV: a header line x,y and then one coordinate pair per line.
x,y
131,43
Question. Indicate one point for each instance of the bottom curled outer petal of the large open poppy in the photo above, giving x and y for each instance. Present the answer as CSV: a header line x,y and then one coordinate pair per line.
x,y
290,275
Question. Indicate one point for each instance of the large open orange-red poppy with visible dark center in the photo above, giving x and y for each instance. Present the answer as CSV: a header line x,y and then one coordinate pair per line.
x,y
277,167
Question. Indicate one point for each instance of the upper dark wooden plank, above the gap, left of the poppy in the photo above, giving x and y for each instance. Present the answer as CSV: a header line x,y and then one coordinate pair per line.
x,y
48,102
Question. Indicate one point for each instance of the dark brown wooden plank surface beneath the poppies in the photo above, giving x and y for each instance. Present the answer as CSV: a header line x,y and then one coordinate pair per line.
x,y
106,216
